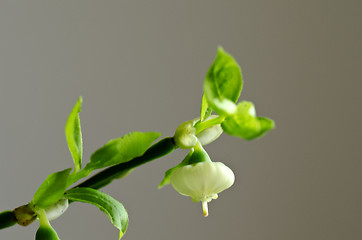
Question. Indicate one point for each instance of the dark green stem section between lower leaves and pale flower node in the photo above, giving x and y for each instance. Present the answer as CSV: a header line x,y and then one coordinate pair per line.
x,y
103,178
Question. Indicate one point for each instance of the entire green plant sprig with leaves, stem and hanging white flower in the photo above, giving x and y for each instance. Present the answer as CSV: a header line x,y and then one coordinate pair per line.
x,y
196,176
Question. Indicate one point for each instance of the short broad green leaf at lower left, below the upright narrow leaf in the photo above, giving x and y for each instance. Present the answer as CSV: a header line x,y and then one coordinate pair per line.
x,y
52,189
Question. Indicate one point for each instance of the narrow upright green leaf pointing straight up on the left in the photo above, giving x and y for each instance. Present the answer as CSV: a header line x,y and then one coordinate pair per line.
x,y
74,135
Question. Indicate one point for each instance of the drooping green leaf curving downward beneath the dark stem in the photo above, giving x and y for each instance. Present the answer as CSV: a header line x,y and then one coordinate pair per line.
x,y
114,210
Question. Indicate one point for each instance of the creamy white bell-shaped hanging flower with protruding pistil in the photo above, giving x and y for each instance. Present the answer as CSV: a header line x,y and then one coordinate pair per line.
x,y
202,181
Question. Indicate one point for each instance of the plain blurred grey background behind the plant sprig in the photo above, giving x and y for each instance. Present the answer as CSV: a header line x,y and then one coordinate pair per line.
x,y
139,65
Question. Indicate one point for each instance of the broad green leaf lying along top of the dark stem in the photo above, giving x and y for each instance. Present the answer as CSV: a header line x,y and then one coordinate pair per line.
x,y
122,149
